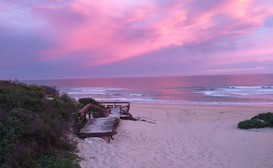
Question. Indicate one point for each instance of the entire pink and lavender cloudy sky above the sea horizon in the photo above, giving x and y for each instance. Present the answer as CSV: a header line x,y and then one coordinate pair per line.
x,y
51,39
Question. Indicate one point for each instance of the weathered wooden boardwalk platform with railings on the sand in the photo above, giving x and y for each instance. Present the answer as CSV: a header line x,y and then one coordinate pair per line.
x,y
104,127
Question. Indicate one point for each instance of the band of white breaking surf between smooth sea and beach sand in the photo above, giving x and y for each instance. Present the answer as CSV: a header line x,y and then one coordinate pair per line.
x,y
244,95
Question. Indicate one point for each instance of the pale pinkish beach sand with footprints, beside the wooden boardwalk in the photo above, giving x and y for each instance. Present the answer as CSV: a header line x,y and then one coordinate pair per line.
x,y
183,137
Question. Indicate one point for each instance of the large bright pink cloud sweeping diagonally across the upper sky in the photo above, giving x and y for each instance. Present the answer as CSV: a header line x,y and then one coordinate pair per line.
x,y
117,30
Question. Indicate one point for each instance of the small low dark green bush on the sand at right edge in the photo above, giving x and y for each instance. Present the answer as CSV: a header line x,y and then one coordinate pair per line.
x,y
259,121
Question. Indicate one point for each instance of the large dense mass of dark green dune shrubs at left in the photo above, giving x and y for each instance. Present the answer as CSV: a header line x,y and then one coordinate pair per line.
x,y
35,124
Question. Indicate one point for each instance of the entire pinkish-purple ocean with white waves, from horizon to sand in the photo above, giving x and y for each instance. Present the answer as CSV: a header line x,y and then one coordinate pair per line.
x,y
188,90
